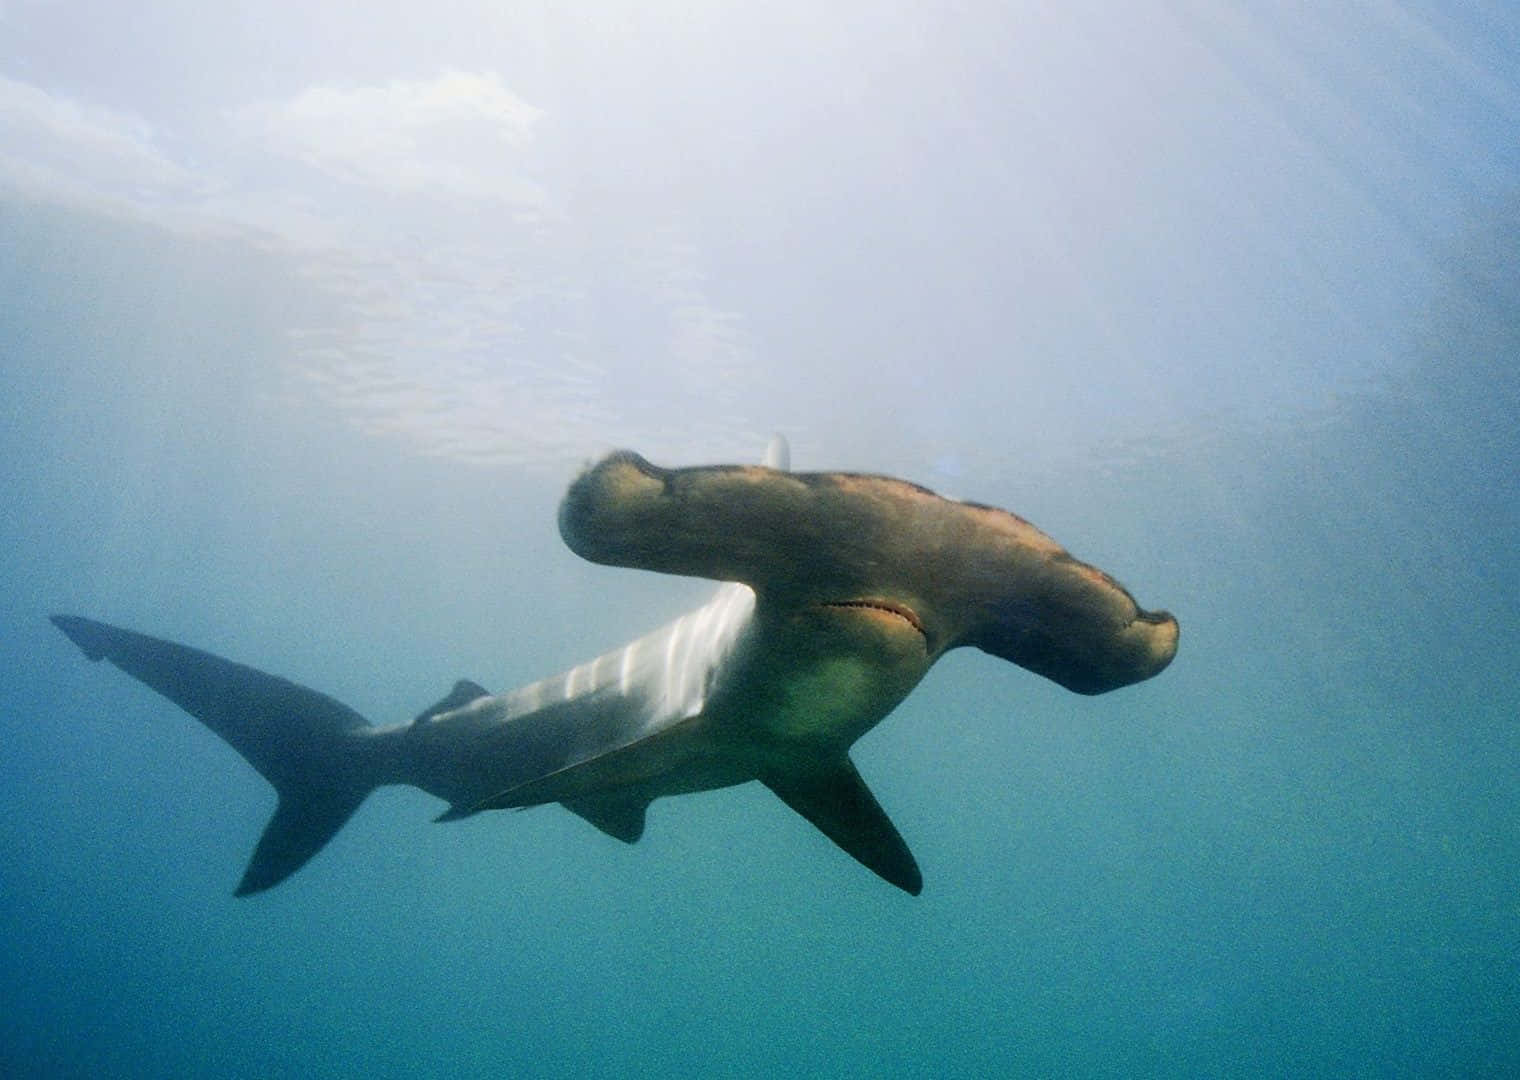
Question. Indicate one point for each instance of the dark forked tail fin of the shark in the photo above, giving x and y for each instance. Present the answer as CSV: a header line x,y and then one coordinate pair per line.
x,y
300,741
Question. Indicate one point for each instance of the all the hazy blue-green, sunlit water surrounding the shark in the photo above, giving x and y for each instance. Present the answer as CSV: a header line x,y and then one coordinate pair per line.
x,y
308,318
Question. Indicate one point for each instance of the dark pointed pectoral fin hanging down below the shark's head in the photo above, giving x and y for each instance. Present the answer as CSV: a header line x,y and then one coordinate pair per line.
x,y
841,806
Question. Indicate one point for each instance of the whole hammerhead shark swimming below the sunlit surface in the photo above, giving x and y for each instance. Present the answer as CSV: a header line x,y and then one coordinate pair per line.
x,y
840,593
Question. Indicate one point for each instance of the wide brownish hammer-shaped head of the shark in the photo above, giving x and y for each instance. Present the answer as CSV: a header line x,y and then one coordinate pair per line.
x,y
878,554
